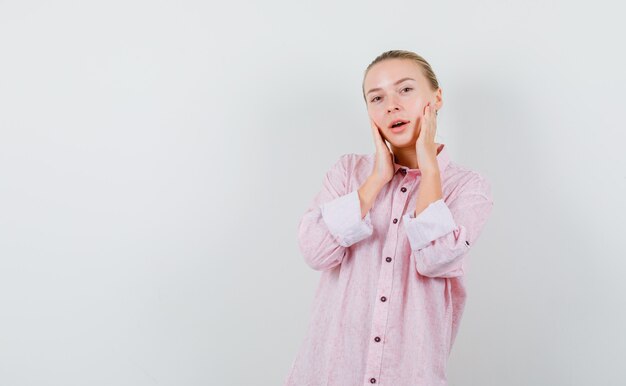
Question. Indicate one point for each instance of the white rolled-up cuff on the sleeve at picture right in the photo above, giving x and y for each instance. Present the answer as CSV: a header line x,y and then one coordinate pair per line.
x,y
433,222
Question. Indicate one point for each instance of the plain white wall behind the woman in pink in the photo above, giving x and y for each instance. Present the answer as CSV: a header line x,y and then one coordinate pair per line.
x,y
156,157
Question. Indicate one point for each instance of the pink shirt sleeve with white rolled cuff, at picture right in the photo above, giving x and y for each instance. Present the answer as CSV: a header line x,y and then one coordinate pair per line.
x,y
442,234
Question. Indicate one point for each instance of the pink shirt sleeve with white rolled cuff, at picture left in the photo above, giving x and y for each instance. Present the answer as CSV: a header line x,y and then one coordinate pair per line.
x,y
333,222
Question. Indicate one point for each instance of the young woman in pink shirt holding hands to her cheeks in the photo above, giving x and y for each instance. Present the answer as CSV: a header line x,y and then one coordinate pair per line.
x,y
390,233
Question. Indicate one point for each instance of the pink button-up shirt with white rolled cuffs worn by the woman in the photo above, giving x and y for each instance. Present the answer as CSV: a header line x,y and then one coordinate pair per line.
x,y
391,293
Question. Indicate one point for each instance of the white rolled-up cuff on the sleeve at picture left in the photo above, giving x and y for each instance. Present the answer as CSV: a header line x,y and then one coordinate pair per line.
x,y
343,219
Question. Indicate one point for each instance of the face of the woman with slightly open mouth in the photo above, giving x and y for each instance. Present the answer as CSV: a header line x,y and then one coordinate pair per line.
x,y
397,89
